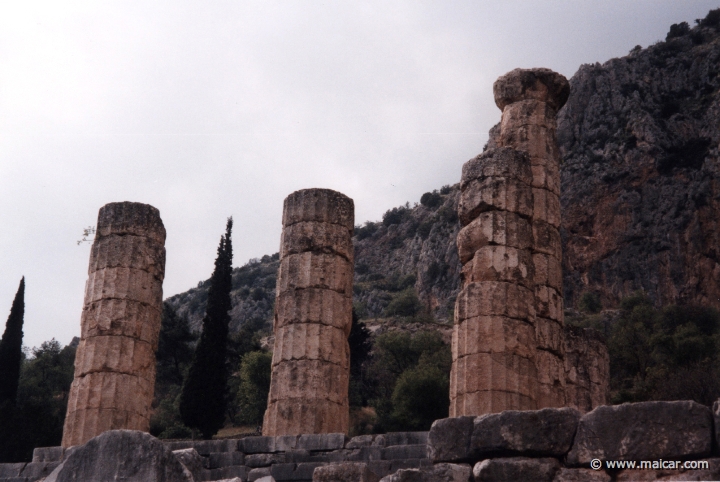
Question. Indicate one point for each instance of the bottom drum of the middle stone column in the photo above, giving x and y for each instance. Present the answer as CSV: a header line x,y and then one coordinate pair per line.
x,y
306,415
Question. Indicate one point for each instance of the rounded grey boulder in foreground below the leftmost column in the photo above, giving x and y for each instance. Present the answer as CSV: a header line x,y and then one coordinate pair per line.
x,y
126,455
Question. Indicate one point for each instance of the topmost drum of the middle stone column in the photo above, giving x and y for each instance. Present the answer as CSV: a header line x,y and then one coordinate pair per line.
x,y
319,205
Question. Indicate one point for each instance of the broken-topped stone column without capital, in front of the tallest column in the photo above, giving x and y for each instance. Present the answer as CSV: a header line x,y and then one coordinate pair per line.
x,y
493,343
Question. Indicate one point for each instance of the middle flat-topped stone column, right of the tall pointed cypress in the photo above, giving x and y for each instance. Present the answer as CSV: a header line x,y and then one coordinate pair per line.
x,y
313,316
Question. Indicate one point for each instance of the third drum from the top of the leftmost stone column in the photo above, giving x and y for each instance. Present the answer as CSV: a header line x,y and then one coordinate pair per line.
x,y
125,284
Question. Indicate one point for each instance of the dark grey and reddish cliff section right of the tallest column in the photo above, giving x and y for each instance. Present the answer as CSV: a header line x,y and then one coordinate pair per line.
x,y
641,172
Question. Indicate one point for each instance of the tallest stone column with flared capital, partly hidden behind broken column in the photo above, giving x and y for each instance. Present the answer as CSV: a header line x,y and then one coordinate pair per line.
x,y
530,100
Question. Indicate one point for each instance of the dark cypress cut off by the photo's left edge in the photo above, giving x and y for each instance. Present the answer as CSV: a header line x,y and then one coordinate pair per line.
x,y
11,347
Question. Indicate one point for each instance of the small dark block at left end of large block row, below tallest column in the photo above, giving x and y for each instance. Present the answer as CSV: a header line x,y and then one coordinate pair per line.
x,y
449,439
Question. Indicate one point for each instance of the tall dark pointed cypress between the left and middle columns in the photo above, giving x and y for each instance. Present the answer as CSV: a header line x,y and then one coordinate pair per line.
x,y
203,399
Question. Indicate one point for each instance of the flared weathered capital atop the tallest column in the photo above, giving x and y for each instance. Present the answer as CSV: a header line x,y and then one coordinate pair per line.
x,y
531,84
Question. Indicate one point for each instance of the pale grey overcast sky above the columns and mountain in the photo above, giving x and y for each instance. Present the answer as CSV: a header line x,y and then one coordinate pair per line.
x,y
212,109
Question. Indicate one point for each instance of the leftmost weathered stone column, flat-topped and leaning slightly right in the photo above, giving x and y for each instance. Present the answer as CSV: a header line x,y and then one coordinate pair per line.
x,y
120,324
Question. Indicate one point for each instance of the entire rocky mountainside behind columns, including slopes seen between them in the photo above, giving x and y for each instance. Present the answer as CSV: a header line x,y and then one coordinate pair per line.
x,y
640,201
